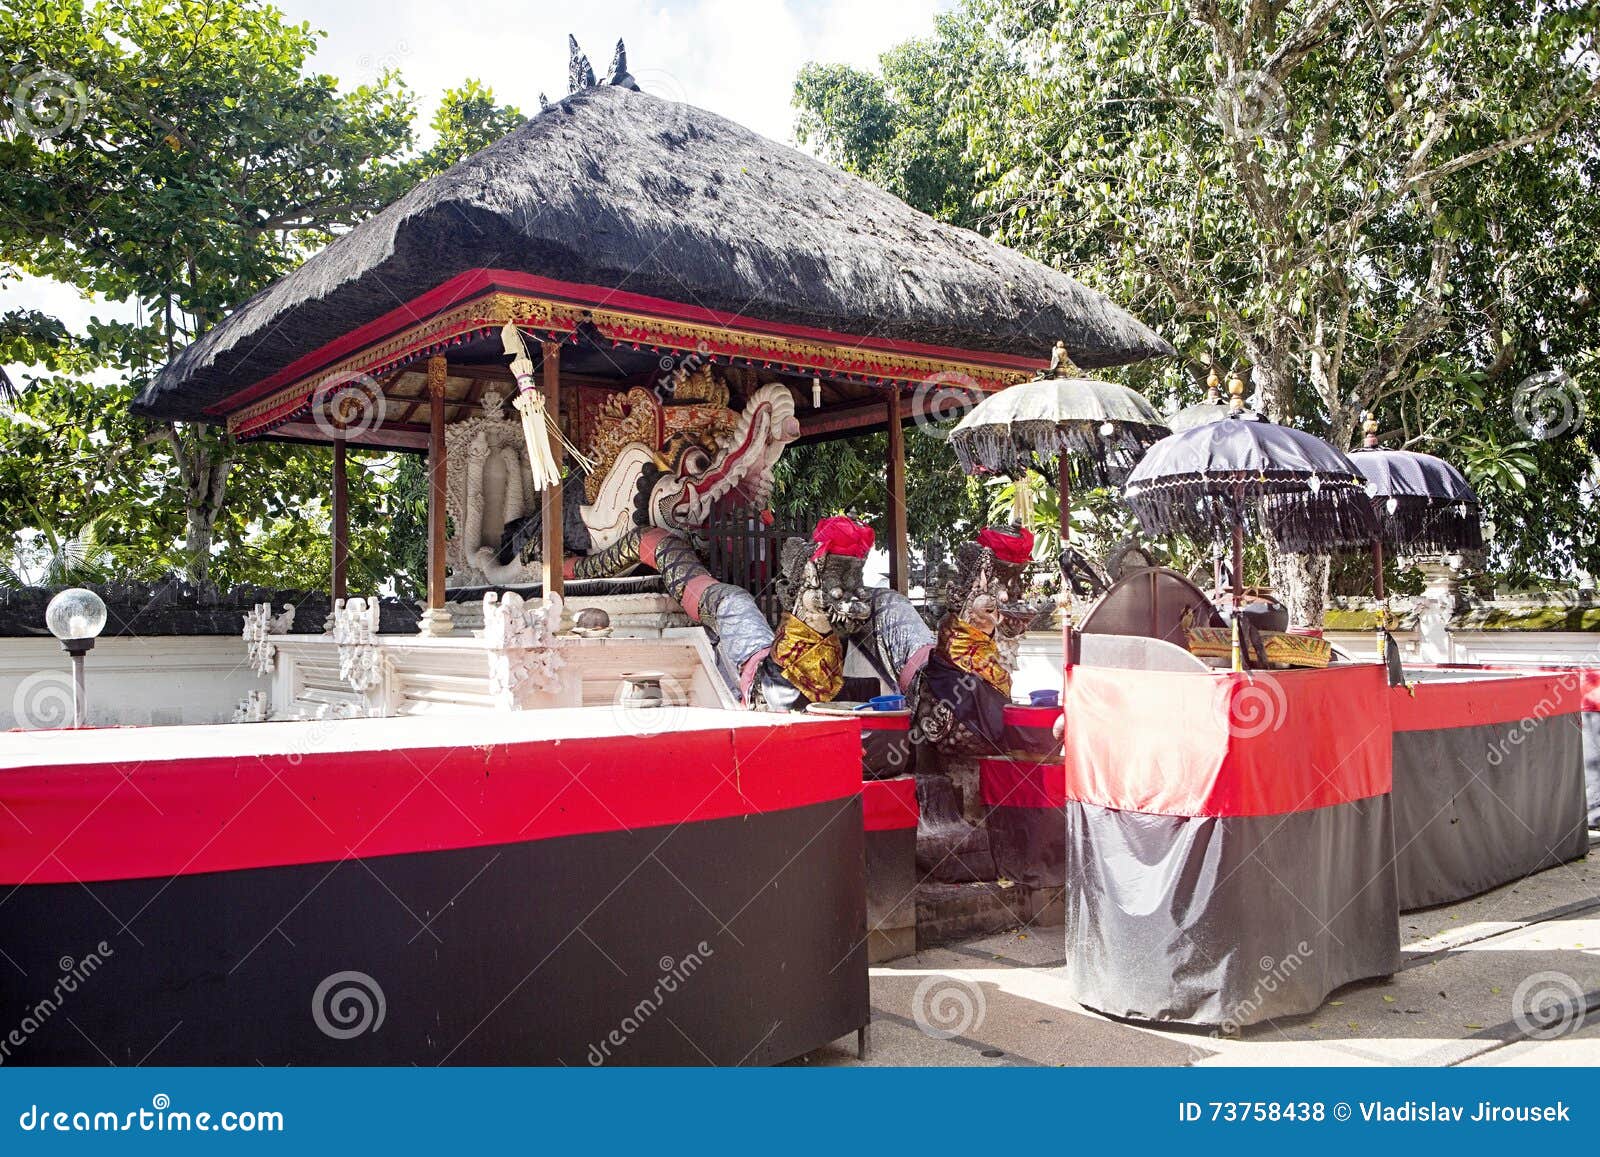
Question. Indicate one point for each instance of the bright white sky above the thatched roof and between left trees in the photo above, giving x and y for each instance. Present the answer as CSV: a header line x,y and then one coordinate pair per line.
x,y
734,57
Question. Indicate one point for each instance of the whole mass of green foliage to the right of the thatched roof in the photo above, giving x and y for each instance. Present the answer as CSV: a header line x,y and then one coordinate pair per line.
x,y
1388,209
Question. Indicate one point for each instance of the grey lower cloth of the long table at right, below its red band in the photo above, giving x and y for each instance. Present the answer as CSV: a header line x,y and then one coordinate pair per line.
x,y
1478,807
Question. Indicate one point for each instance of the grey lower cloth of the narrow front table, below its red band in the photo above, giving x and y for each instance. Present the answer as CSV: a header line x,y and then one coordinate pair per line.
x,y
1228,921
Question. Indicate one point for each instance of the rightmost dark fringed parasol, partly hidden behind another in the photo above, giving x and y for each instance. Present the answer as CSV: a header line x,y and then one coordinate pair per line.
x,y
1422,503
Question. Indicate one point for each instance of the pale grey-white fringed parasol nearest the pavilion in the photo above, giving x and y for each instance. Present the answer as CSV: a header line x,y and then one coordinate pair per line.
x,y
1094,430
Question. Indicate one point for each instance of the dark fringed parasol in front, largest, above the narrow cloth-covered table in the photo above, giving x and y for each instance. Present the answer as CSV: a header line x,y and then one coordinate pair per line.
x,y
1236,474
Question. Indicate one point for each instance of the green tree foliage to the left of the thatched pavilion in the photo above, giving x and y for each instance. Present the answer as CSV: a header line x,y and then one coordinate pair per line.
x,y
188,161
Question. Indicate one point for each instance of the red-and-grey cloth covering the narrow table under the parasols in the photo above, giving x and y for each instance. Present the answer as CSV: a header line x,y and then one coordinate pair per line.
x,y
1230,841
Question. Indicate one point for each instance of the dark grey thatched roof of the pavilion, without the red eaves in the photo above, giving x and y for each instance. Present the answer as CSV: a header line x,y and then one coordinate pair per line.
x,y
626,191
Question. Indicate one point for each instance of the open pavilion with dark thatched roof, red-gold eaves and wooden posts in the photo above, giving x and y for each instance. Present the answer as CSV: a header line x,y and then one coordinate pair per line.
x,y
620,231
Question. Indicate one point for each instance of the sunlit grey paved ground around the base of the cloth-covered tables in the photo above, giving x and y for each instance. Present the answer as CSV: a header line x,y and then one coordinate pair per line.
x,y
1452,1003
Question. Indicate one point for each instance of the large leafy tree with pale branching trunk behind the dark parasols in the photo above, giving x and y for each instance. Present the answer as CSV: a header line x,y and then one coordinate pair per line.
x,y
1295,185
